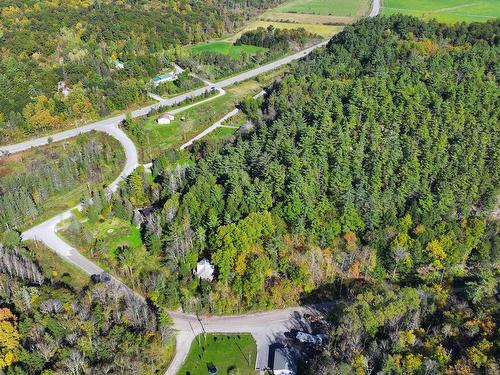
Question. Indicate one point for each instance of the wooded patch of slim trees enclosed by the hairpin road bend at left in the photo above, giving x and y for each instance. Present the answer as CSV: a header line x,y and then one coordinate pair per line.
x,y
31,182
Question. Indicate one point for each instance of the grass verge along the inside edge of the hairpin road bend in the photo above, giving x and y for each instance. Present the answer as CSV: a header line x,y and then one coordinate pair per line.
x,y
57,203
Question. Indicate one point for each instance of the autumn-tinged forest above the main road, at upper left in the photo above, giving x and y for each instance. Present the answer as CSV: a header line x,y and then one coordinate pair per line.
x,y
60,60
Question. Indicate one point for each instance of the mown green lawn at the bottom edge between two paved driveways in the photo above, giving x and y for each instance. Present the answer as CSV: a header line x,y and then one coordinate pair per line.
x,y
226,352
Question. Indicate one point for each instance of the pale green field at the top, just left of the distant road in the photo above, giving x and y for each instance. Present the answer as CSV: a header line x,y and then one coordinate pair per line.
x,y
341,8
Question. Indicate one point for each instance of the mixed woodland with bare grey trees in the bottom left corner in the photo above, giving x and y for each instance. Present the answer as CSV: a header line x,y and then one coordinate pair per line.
x,y
47,326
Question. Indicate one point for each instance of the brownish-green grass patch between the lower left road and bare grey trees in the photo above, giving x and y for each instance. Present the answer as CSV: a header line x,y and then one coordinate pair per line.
x,y
56,268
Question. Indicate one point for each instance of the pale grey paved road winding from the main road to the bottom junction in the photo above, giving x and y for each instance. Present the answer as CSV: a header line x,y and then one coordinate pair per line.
x,y
265,327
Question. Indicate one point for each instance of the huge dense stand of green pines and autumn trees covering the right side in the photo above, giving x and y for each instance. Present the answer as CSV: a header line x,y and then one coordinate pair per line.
x,y
369,176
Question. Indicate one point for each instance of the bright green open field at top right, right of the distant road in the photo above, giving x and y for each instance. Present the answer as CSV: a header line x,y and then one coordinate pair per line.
x,y
448,11
